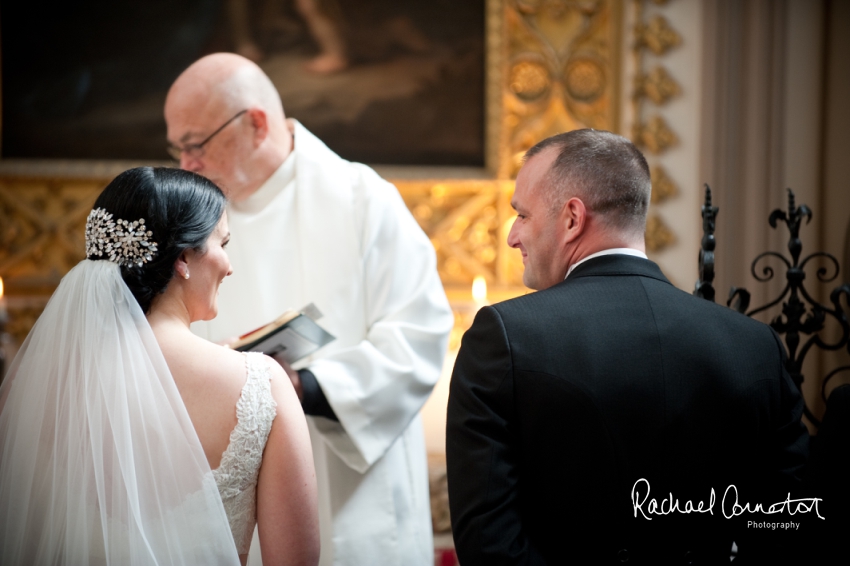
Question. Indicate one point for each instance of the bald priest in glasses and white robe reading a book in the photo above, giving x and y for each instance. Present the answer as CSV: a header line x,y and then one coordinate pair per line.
x,y
310,227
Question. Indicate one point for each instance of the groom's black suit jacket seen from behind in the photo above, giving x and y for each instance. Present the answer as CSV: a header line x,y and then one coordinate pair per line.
x,y
562,400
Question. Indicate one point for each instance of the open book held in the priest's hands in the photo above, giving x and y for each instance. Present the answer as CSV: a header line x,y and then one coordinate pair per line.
x,y
293,335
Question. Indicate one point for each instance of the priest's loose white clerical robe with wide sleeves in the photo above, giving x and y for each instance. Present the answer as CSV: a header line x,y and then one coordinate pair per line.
x,y
331,232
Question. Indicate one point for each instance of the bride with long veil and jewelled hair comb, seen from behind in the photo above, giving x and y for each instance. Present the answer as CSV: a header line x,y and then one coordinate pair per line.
x,y
126,439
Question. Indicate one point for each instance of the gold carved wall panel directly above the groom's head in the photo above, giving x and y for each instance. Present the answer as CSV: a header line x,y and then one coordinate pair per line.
x,y
556,69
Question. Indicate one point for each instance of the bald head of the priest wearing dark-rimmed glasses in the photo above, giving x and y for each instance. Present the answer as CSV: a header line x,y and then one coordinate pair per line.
x,y
225,121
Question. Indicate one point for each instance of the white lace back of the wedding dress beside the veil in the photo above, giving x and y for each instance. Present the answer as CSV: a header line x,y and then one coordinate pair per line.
x,y
236,476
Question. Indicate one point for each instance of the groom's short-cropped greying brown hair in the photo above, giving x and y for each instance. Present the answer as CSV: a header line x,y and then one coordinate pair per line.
x,y
606,171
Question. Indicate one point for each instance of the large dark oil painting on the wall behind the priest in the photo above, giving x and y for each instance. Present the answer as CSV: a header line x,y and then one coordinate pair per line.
x,y
401,83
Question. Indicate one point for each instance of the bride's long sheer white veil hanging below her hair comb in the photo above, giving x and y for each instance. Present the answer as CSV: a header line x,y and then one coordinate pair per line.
x,y
99,461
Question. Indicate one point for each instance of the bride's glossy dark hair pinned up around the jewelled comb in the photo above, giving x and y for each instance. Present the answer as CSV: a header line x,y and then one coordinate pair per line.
x,y
181,208
